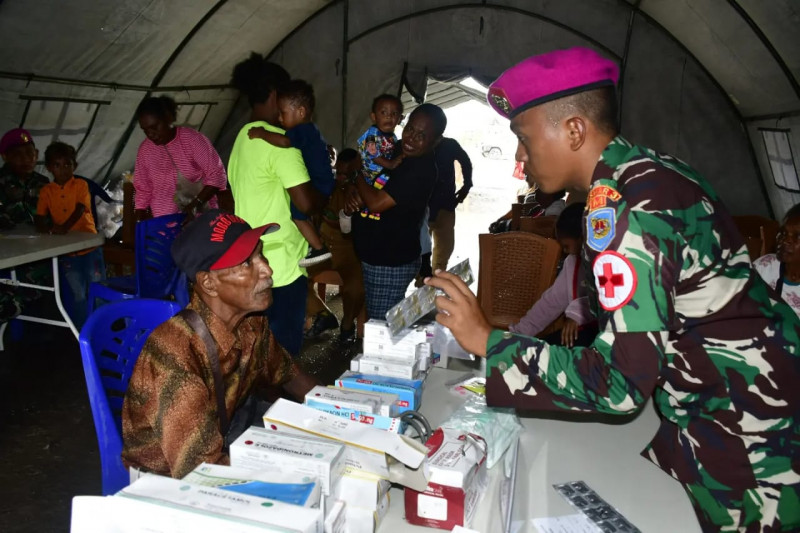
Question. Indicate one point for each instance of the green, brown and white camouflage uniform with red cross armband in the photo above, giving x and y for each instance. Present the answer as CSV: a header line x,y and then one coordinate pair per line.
x,y
683,317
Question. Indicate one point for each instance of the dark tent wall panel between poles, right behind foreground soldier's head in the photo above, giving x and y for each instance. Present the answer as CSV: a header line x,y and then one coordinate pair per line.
x,y
670,104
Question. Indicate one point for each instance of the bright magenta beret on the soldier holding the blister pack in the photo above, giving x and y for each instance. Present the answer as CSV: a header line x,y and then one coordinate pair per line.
x,y
550,76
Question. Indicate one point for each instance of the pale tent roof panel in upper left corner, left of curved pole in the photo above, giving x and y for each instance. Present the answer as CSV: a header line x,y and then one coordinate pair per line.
x,y
119,42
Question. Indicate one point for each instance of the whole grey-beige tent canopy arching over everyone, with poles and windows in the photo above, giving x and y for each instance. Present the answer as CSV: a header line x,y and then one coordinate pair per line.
x,y
700,79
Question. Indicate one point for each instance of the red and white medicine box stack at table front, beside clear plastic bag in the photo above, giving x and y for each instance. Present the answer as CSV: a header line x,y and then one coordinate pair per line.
x,y
457,467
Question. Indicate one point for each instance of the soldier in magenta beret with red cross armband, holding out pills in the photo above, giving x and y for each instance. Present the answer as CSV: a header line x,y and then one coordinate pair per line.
x,y
682,314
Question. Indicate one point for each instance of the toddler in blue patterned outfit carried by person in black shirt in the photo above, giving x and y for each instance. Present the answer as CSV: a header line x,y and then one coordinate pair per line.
x,y
378,145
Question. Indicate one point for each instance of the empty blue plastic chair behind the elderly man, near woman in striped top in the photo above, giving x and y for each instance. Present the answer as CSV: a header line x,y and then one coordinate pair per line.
x,y
156,273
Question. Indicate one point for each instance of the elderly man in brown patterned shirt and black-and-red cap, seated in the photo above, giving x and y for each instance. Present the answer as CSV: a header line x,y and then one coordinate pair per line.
x,y
197,368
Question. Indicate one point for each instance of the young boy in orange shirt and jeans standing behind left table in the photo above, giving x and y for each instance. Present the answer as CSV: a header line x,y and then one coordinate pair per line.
x,y
64,206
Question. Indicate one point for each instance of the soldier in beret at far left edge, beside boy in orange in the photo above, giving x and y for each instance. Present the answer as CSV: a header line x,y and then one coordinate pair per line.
x,y
19,194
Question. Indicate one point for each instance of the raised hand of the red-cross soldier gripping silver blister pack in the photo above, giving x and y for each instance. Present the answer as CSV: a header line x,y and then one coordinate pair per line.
x,y
460,312
